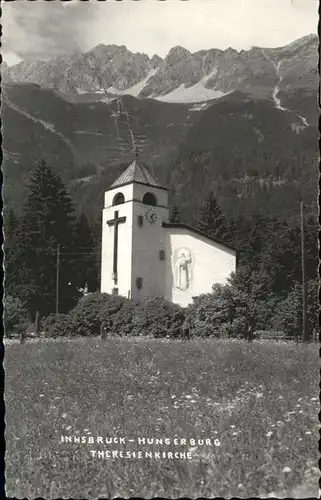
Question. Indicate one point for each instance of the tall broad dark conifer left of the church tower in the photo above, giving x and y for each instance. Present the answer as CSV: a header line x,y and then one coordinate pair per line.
x,y
47,221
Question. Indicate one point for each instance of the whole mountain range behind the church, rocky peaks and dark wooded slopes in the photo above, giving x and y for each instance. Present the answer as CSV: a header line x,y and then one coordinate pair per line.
x,y
213,119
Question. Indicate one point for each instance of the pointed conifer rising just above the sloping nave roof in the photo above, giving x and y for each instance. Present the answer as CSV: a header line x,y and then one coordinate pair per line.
x,y
211,220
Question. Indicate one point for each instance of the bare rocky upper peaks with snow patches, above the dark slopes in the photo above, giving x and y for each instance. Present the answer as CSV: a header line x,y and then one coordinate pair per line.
x,y
181,75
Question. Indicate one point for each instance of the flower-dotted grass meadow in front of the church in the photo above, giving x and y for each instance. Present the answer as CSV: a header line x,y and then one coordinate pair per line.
x,y
260,401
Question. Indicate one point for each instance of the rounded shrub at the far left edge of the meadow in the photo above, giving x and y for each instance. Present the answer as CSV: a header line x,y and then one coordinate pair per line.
x,y
15,316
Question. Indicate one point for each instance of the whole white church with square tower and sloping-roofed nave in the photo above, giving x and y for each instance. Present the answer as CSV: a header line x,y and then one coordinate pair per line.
x,y
144,255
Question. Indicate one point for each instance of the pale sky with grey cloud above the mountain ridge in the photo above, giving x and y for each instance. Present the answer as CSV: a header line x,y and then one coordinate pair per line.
x,y
42,29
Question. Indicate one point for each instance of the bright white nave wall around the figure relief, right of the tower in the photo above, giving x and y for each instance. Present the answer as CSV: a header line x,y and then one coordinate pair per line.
x,y
210,263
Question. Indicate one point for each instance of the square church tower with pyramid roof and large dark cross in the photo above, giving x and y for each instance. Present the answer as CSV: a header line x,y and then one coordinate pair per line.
x,y
133,235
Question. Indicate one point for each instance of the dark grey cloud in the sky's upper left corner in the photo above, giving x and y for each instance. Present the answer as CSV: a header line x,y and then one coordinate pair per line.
x,y
43,29
